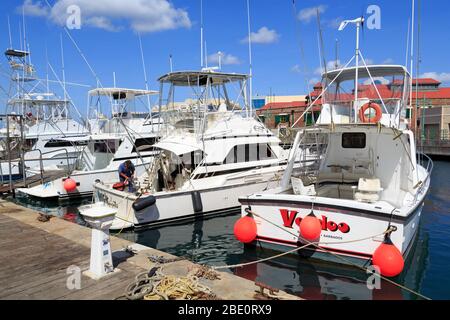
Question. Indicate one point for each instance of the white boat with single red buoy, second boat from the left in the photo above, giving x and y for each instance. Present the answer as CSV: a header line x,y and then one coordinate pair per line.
x,y
126,135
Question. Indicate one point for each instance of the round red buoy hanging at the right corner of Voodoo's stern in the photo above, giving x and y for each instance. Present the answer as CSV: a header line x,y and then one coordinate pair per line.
x,y
388,258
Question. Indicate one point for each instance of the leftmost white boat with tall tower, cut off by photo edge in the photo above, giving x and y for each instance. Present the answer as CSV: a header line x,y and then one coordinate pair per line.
x,y
39,119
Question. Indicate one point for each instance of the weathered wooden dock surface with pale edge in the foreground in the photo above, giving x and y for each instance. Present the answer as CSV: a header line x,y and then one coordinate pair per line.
x,y
38,259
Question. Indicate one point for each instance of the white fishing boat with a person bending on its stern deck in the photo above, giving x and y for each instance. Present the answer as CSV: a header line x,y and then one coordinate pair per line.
x,y
212,151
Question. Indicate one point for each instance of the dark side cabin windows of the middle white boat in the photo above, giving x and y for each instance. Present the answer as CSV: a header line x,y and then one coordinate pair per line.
x,y
249,152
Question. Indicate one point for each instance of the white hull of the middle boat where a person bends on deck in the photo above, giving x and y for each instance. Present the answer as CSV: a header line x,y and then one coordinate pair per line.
x,y
180,205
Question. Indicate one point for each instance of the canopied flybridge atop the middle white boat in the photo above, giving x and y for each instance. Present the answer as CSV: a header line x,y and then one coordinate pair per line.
x,y
194,101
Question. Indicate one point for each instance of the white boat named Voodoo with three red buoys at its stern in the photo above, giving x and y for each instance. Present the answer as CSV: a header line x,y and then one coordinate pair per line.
x,y
366,192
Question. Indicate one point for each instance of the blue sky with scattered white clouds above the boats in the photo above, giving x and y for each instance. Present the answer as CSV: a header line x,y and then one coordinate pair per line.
x,y
109,28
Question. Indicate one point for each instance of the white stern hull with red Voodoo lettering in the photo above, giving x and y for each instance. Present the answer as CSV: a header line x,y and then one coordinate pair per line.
x,y
350,234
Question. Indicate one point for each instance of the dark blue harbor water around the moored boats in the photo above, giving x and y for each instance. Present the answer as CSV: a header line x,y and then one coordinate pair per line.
x,y
211,242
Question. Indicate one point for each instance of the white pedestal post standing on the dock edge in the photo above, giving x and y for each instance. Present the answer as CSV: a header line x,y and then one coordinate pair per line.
x,y
100,218
